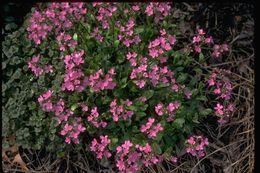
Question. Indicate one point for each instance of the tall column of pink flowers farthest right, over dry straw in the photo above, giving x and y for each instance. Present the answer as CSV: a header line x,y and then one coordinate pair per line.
x,y
222,89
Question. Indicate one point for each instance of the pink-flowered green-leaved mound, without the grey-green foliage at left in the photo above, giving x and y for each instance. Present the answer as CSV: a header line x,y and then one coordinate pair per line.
x,y
117,73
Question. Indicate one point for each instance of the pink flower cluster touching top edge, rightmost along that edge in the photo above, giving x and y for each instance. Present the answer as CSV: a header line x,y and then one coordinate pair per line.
x,y
159,10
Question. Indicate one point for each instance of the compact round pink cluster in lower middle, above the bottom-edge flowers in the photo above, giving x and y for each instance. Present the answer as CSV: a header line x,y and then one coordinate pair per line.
x,y
150,128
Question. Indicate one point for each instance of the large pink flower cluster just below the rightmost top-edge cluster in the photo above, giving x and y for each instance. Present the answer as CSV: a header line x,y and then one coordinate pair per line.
x,y
161,45
